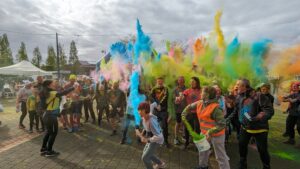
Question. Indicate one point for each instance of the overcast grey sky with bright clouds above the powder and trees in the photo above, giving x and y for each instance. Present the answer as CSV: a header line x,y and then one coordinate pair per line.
x,y
98,23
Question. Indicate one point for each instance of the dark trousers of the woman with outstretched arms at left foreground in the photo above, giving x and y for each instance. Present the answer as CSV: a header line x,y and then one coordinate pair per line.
x,y
51,125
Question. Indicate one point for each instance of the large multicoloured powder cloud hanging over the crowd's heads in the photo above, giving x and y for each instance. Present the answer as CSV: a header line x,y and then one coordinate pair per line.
x,y
179,60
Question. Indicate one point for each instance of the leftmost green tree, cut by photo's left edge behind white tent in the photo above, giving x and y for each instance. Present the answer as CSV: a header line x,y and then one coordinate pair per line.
x,y
6,57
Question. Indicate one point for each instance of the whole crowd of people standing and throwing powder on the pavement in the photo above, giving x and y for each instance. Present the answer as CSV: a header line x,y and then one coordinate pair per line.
x,y
210,112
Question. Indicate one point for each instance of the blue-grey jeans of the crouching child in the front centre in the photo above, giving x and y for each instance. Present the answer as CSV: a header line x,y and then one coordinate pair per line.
x,y
148,155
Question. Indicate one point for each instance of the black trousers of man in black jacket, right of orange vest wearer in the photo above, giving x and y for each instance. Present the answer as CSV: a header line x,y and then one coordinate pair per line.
x,y
262,147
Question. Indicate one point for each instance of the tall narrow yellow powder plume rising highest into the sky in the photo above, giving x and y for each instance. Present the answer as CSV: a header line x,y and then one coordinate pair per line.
x,y
219,33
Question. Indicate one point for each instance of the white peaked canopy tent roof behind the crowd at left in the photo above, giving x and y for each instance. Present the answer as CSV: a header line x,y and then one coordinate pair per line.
x,y
23,68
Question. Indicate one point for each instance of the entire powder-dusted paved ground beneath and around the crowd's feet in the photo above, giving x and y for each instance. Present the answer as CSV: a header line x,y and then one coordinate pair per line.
x,y
94,148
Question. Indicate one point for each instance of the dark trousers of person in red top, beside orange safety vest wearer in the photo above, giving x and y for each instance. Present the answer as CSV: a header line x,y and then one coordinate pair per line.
x,y
193,121
